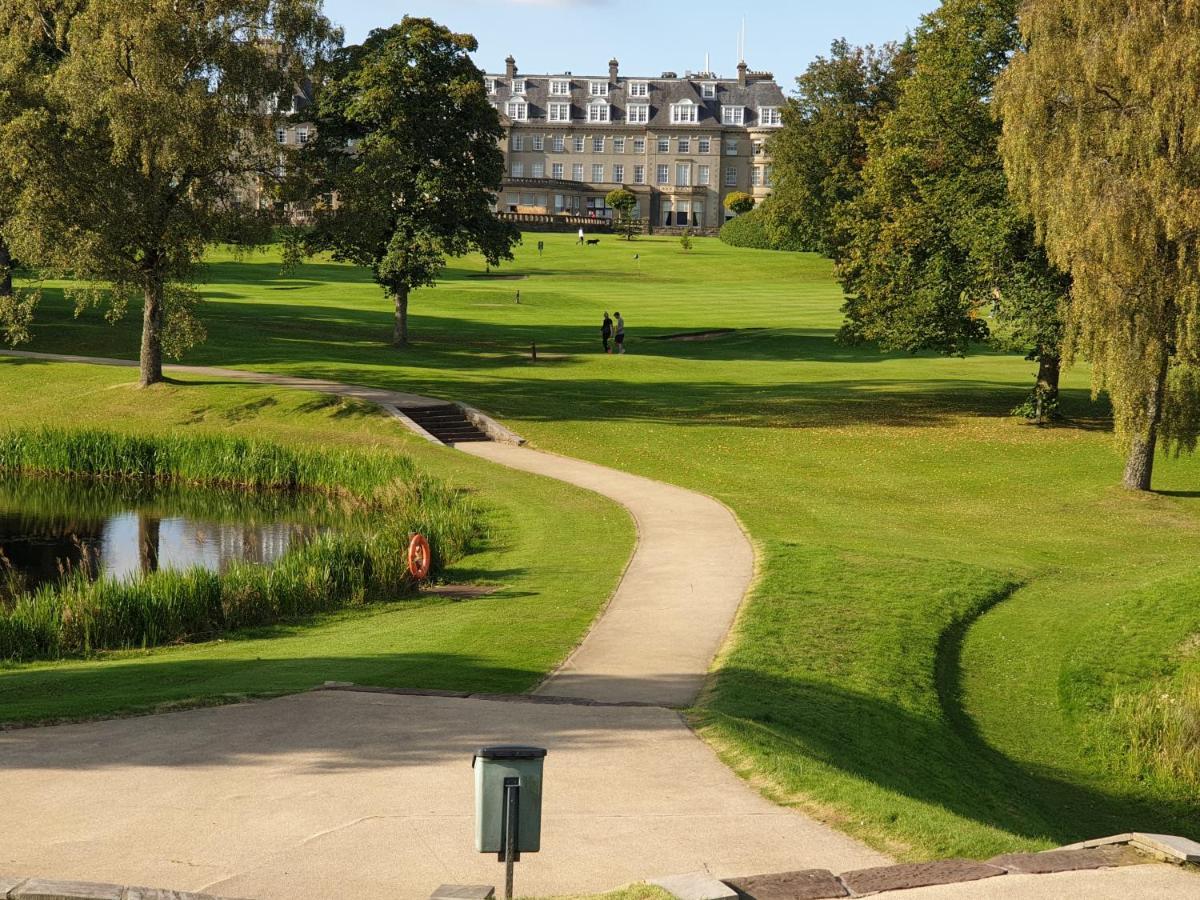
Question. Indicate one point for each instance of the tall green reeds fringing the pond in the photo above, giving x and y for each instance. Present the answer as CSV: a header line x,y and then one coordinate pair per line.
x,y
368,565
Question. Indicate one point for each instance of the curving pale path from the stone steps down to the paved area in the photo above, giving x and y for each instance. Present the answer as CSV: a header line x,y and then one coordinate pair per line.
x,y
680,596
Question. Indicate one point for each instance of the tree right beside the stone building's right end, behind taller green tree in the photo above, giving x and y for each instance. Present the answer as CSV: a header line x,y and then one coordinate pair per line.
x,y
820,152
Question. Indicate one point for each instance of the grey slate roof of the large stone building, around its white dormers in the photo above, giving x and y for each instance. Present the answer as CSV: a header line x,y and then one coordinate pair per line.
x,y
663,94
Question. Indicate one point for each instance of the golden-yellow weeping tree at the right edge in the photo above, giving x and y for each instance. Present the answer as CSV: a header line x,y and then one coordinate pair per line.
x,y
1102,130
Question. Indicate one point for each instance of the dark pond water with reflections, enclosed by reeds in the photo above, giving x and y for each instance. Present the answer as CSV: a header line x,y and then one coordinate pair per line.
x,y
50,527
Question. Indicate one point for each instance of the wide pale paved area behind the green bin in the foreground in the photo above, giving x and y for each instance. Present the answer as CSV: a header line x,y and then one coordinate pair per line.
x,y
355,795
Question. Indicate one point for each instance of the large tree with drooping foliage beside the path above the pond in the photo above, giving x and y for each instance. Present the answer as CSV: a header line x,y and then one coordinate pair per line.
x,y
155,123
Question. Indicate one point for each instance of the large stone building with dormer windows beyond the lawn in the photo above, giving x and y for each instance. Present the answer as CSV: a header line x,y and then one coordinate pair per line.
x,y
680,145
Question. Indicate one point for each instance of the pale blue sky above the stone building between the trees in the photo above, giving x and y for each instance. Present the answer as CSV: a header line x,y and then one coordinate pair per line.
x,y
649,37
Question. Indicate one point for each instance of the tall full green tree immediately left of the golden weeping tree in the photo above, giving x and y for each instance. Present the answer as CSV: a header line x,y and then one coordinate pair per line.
x,y
935,247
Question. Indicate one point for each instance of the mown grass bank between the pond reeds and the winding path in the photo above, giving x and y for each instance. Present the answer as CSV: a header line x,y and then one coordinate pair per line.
x,y
551,574
